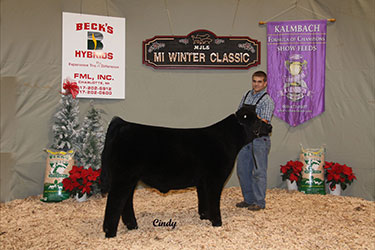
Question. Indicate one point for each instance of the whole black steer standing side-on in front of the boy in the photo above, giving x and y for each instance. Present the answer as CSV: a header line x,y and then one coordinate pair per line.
x,y
170,158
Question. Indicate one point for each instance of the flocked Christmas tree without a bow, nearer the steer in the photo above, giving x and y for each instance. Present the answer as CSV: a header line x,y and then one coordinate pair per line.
x,y
92,138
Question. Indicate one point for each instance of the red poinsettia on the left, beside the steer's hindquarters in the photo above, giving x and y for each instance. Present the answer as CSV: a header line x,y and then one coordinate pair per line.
x,y
81,181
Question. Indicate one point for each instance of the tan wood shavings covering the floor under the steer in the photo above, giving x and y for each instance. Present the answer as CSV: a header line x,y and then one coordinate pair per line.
x,y
292,220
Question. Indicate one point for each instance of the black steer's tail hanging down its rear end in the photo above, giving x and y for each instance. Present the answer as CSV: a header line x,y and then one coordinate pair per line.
x,y
105,176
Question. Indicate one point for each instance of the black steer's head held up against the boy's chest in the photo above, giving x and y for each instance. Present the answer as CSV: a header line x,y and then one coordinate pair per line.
x,y
254,127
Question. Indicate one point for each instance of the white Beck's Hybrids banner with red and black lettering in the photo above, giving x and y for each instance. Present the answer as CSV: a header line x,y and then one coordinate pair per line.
x,y
93,55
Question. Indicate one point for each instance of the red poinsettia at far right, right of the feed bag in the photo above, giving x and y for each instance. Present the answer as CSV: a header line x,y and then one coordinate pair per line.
x,y
336,173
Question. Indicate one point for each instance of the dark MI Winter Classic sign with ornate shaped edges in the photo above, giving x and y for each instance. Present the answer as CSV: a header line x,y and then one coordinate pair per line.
x,y
201,49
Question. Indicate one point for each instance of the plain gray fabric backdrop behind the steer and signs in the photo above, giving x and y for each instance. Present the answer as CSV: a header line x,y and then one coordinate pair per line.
x,y
31,77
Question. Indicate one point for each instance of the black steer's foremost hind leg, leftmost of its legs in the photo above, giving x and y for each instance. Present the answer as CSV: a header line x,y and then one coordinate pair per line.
x,y
115,205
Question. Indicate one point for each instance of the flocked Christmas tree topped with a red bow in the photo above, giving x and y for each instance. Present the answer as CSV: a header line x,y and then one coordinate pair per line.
x,y
66,126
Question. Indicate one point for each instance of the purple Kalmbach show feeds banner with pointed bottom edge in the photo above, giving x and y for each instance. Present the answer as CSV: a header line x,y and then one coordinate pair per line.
x,y
296,52
